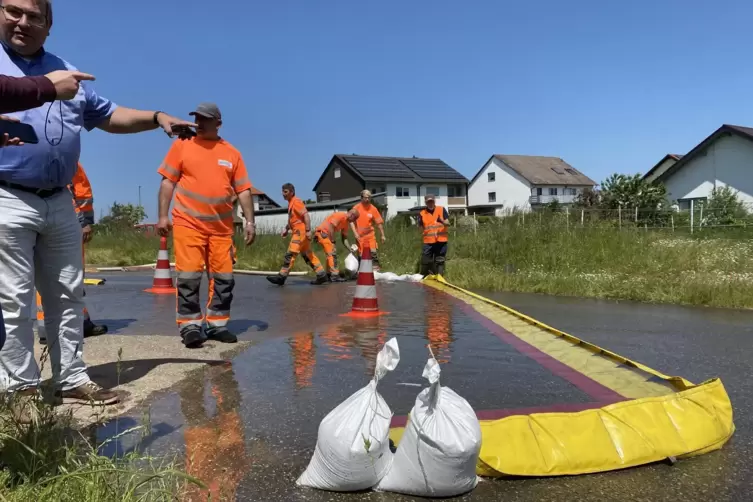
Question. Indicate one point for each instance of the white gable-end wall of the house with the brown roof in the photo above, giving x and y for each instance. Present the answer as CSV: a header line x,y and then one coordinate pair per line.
x,y
509,188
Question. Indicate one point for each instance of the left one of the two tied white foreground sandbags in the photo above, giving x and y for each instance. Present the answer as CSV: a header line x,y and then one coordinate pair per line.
x,y
353,447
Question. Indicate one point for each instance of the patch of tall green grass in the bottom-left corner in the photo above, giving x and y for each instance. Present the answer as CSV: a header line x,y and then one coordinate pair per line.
x,y
52,459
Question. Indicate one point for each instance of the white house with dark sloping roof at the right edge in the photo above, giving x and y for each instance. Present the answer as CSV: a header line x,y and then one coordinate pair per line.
x,y
724,158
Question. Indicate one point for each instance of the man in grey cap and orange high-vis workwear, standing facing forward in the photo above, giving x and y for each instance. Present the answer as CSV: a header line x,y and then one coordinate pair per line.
x,y
204,172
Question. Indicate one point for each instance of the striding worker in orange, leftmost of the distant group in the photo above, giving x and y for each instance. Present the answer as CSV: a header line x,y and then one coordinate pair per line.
x,y
300,224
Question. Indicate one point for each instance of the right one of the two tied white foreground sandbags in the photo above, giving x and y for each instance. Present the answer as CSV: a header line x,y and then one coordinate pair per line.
x,y
440,446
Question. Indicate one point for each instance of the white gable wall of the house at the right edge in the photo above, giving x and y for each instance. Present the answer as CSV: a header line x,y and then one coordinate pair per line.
x,y
727,162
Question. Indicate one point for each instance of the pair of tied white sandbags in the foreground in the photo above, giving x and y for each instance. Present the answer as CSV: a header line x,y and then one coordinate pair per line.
x,y
437,453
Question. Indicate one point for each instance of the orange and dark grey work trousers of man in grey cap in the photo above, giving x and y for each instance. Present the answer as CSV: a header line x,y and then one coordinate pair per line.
x,y
194,252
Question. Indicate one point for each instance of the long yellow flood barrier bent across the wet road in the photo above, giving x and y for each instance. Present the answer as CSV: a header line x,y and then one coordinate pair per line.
x,y
638,415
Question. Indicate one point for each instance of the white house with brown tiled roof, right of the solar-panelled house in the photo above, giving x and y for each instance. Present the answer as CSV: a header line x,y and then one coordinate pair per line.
x,y
522,182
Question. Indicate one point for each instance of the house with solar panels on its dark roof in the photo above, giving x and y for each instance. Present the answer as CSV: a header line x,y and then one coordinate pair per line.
x,y
405,181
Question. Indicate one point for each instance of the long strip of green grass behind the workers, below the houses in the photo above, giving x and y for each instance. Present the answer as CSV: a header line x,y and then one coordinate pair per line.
x,y
711,267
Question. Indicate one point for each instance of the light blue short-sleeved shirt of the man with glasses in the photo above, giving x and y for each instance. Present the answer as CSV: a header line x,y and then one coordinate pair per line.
x,y
52,162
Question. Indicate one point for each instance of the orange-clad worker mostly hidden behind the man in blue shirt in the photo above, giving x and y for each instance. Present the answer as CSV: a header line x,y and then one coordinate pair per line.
x,y
83,203
